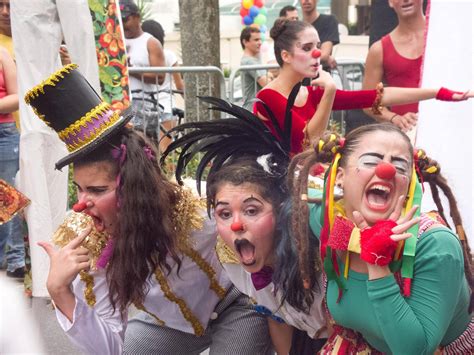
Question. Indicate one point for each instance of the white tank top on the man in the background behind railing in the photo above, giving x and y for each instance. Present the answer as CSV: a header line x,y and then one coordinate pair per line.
x,y
137,52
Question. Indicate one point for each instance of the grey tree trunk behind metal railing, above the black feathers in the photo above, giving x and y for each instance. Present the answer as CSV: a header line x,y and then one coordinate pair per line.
x,y
199,26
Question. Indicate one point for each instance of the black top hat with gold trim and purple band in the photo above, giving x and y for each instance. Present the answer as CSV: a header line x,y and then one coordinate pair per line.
x,y
69,104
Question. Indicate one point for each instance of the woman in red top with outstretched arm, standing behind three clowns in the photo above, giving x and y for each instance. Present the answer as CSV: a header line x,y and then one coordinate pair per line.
x,y
296,51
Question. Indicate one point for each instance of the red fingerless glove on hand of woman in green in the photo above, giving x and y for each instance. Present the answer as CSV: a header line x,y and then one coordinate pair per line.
x,y
377,247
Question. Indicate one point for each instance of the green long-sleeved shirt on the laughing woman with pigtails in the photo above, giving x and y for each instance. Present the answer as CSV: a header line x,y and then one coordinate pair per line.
x,y
435,313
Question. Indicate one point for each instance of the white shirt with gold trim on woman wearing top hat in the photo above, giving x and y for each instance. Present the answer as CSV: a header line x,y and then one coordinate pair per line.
x,y
97,330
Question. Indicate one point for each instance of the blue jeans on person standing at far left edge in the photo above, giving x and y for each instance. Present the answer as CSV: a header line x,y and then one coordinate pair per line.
x,y
11,232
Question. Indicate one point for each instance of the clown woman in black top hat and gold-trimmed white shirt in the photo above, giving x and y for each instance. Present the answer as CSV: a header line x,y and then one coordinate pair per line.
x,y
134,238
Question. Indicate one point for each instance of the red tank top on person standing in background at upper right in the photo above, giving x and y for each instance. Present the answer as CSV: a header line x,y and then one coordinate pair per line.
x,y
400,72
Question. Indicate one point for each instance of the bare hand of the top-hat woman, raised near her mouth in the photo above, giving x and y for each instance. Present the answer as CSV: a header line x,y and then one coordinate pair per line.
x,y
66,263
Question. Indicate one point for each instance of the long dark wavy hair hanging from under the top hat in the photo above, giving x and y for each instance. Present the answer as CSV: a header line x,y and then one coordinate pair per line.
x,y
145,235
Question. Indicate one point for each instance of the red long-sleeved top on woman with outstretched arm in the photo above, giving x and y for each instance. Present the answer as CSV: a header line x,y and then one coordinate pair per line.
x,y
344,100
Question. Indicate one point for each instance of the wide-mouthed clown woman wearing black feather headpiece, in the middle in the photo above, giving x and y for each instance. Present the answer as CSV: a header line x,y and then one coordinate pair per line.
x,y
246,191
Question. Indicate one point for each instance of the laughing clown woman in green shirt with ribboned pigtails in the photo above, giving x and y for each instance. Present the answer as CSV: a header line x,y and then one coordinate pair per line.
x,y
398,281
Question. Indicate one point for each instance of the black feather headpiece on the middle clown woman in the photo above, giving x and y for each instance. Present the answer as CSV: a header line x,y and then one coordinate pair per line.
x,y
226,139
